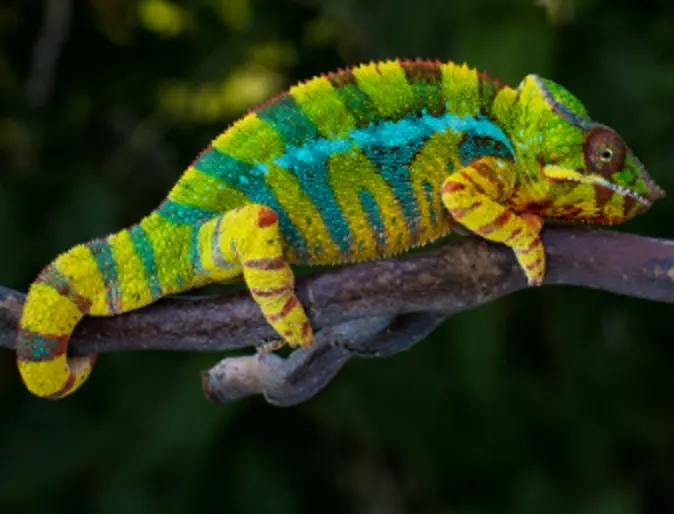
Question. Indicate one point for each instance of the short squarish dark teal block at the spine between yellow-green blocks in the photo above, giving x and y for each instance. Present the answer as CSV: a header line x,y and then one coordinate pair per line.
x,y
288,120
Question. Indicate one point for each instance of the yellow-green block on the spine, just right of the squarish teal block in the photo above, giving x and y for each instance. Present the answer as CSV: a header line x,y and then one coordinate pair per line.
x,y
320,102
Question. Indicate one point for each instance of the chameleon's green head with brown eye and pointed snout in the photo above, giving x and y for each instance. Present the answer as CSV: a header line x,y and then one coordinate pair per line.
x,y
584,167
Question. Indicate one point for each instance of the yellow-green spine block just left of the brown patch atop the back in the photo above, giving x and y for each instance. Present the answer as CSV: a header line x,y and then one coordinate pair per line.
x,y
387,86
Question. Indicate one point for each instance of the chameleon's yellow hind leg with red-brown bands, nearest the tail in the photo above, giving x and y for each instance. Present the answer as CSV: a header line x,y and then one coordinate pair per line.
x,y
248,240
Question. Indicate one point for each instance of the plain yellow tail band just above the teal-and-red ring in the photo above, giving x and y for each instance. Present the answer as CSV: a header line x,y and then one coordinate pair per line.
x,y
52,314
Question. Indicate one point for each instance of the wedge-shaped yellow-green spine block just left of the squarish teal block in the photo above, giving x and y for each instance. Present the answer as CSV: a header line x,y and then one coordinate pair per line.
x,y
249,139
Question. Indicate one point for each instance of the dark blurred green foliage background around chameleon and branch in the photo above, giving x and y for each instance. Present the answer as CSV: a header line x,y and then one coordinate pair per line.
x,y
558,400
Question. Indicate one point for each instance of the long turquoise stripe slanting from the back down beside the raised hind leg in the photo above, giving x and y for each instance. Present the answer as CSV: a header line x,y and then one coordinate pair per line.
x,y
249,179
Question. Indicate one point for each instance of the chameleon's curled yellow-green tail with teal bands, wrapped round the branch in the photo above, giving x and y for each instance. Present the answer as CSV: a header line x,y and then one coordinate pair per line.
x,y
116,274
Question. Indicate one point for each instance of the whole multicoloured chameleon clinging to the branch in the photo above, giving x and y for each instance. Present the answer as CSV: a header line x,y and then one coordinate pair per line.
x,y
360,164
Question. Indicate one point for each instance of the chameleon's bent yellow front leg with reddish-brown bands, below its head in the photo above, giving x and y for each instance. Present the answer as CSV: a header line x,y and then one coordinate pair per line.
x,y
473,196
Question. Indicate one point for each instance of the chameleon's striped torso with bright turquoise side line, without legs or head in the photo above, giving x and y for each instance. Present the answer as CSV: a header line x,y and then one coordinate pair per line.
x,y
352,162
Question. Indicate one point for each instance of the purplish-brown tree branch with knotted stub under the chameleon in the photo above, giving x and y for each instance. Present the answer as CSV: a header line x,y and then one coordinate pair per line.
x,y
370,309
